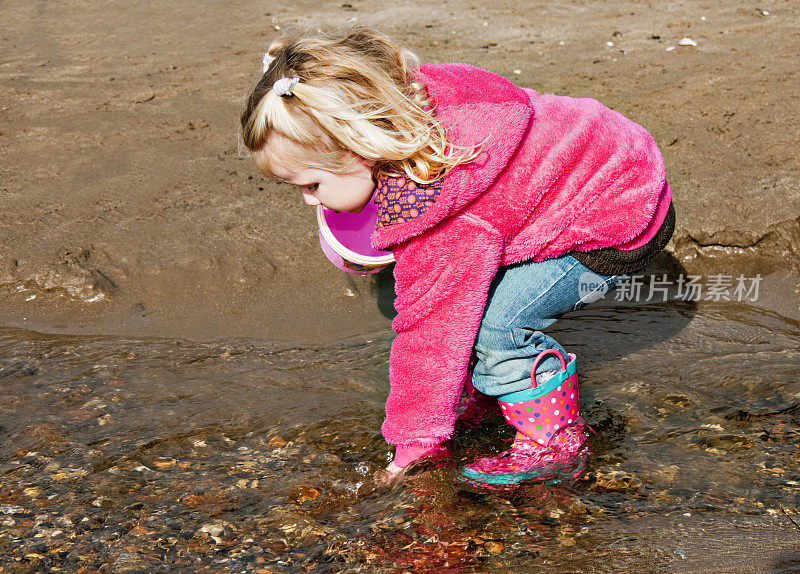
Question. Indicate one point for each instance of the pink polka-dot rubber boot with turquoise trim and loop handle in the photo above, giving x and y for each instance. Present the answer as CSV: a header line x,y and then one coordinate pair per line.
x,y
548,445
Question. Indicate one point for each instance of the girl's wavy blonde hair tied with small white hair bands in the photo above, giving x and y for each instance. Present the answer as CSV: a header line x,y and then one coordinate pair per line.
x,y
356,93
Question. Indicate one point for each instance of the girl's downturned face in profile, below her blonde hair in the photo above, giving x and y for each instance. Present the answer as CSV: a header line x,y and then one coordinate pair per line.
x,y
349,190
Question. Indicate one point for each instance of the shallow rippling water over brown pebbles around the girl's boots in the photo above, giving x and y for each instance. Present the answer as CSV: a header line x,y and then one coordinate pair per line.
x,y
150,455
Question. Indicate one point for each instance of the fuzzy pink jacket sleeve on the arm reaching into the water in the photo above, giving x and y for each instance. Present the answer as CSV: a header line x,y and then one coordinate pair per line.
x,y
442,279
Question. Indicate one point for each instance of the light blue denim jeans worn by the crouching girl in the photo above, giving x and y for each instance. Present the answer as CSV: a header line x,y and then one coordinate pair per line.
x,y
524,299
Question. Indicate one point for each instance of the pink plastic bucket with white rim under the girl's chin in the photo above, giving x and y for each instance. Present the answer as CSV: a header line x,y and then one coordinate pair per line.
x,y
345,240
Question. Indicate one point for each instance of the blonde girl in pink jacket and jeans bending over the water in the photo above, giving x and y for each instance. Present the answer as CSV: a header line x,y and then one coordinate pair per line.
x,y
504,209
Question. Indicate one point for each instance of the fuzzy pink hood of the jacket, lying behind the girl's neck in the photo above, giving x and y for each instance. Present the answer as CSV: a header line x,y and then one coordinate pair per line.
x,y
474,107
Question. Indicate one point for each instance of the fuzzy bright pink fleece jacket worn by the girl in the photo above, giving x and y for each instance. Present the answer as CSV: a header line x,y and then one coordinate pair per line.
x,y
554,174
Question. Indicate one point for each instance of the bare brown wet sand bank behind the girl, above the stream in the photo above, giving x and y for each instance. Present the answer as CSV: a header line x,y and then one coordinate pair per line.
x,y
128,208
